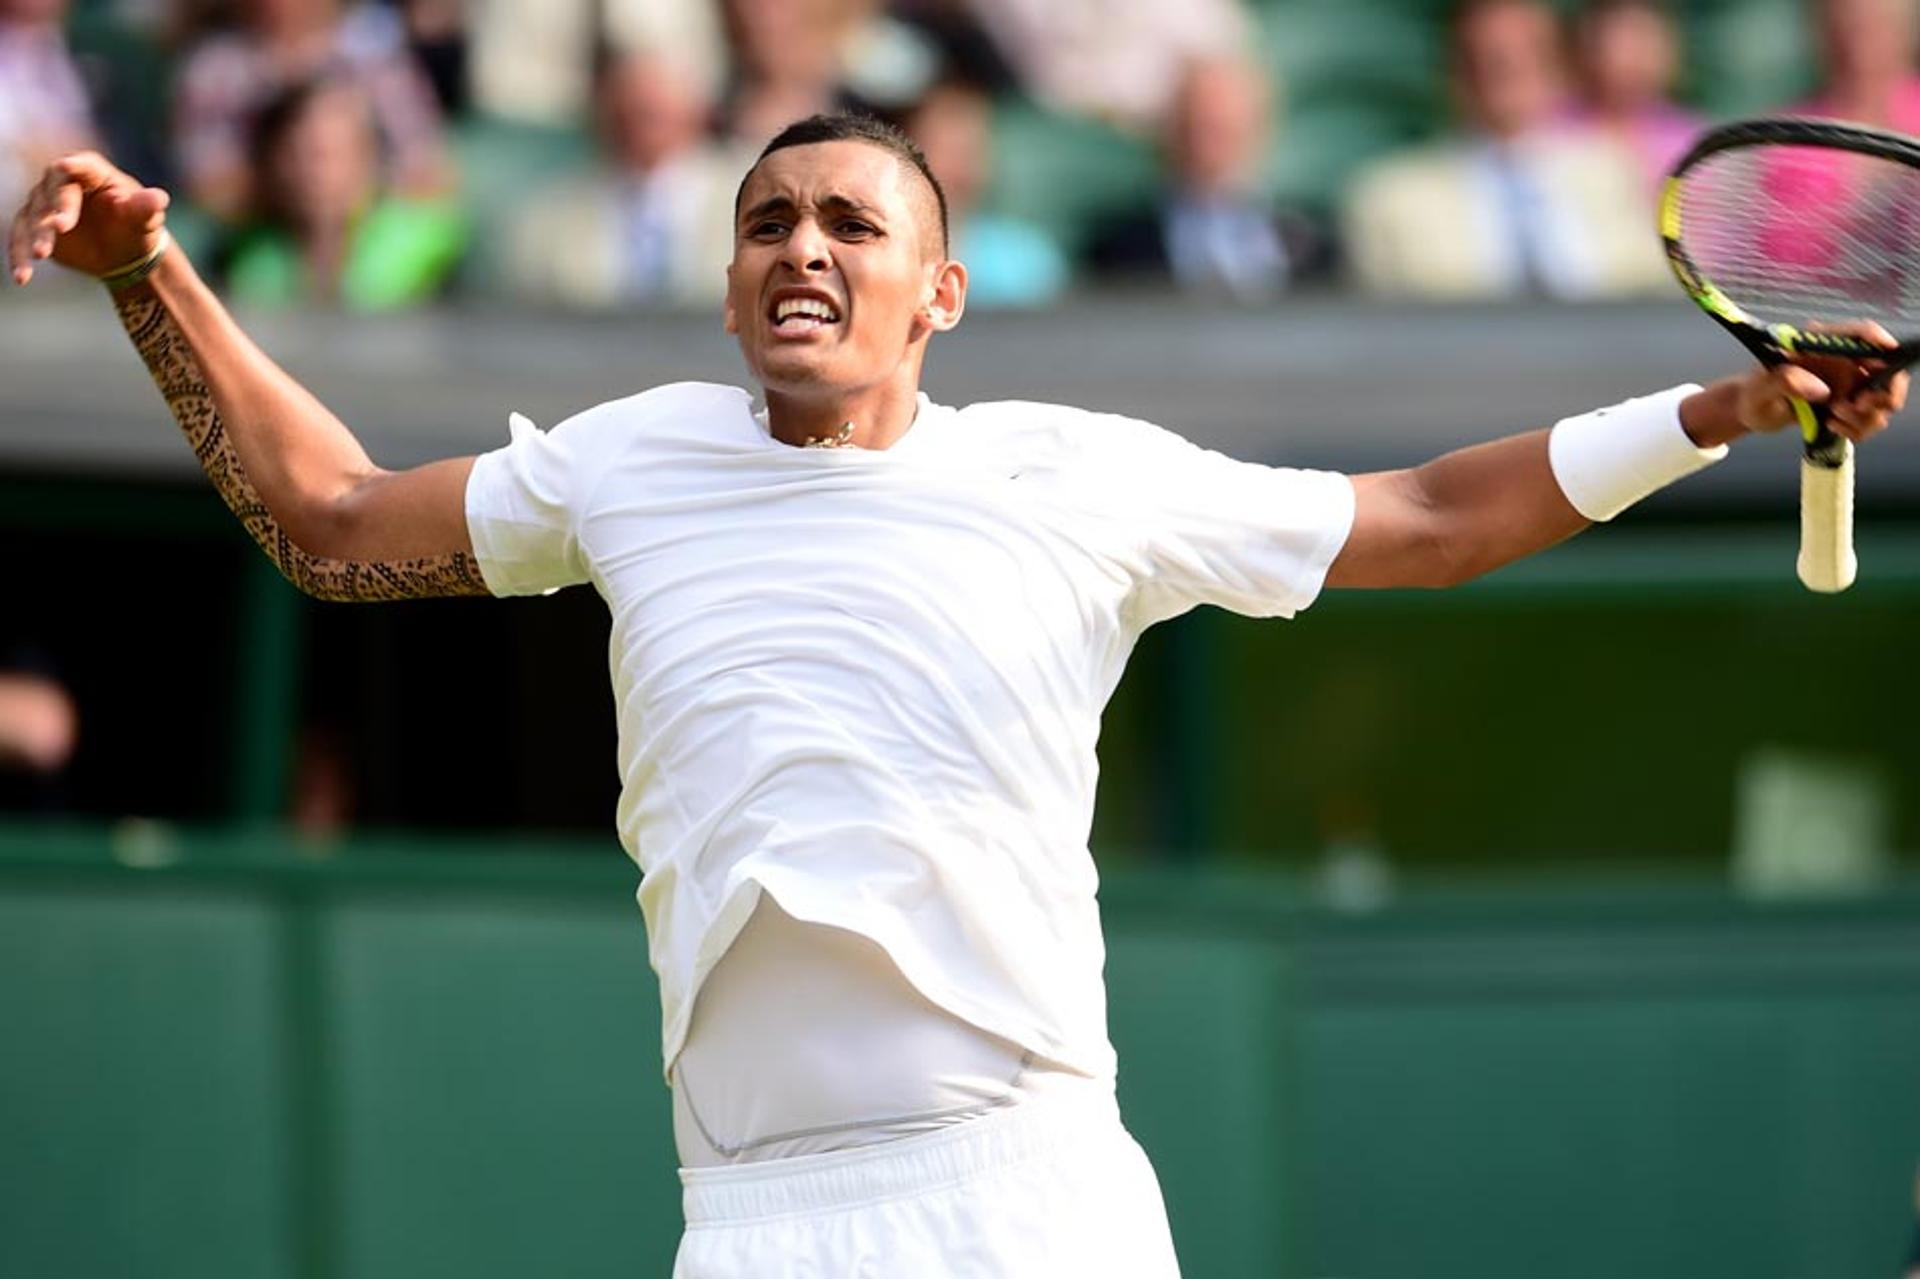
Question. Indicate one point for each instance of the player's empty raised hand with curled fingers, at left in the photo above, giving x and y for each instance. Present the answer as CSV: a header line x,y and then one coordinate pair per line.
x,y
87,216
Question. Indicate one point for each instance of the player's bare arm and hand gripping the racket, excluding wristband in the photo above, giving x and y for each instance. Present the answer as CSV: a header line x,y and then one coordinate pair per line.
x,y
1481,508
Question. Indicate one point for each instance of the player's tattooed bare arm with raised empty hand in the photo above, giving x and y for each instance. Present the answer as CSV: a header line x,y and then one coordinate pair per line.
x,y
335,523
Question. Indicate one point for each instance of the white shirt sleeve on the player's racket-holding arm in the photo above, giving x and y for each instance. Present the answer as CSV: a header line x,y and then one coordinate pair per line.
x,y
1255,541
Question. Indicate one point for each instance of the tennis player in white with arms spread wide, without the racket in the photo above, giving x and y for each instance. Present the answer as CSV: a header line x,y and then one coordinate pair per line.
x,y
861,644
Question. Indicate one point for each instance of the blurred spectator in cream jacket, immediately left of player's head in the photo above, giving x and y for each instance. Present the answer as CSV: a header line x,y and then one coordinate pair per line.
x,y
656,222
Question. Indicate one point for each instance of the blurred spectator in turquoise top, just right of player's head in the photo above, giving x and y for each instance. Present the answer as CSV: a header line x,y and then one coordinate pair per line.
x,y
1011,264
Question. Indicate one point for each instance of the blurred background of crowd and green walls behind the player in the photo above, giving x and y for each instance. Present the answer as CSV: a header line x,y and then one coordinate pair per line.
x,y
1562,925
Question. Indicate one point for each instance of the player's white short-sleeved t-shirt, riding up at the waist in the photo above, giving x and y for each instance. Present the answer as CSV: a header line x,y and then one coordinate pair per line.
x,y
871,681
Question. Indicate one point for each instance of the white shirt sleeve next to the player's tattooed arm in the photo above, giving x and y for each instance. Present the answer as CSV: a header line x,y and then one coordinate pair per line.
x,y
521,510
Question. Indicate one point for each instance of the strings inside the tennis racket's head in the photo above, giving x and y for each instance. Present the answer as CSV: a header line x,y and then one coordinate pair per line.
x,y
1802,235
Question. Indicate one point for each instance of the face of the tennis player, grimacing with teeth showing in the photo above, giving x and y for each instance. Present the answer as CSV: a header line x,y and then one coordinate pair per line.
x,y
836,278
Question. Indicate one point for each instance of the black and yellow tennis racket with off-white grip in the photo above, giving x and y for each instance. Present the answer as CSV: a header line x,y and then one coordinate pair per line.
x,y
1777,228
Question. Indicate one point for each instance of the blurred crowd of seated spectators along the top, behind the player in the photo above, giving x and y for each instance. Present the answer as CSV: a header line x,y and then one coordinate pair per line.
x,y
585,153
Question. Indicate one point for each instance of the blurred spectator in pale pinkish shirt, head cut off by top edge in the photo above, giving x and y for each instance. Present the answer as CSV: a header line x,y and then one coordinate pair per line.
x,y
1120,60
